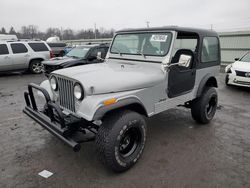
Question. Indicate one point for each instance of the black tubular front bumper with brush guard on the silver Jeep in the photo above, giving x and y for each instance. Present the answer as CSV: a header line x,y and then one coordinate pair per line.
x,y
55,121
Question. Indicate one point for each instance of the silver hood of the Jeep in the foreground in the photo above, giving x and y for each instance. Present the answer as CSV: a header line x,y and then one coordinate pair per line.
x,y
115,77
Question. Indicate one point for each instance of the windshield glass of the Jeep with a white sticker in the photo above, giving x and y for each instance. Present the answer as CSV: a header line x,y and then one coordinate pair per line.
x,y
149,44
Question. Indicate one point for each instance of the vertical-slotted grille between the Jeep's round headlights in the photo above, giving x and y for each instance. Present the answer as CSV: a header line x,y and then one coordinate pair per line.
x,y
66,94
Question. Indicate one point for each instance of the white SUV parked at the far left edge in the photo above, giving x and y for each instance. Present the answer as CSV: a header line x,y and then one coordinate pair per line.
x,y
23,55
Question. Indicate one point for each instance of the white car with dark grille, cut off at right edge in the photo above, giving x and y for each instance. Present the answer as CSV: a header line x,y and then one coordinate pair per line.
x,y
238,73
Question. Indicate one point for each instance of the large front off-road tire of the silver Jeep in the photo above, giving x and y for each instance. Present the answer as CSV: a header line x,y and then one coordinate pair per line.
x,y
110,139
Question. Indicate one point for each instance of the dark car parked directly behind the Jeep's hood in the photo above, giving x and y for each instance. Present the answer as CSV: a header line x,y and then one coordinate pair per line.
x,y
80,55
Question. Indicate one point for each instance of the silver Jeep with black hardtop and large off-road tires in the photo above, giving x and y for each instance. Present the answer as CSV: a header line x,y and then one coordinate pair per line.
x,y
146,71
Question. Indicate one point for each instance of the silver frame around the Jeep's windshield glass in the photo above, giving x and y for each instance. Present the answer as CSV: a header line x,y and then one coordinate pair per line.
x,y
170,35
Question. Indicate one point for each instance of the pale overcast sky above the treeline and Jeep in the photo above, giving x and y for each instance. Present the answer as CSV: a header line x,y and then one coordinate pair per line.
x,y
221,15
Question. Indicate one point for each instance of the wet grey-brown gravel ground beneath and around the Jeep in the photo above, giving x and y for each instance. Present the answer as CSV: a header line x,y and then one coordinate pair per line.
x,y
178,153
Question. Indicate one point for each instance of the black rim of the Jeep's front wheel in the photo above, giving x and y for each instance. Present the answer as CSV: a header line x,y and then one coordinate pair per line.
x,y
130,142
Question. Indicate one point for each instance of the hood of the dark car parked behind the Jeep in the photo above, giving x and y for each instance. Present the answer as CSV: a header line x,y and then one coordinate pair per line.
x,y
64,61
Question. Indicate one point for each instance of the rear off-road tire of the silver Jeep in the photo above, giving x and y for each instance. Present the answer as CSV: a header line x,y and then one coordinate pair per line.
x,y
203,108
